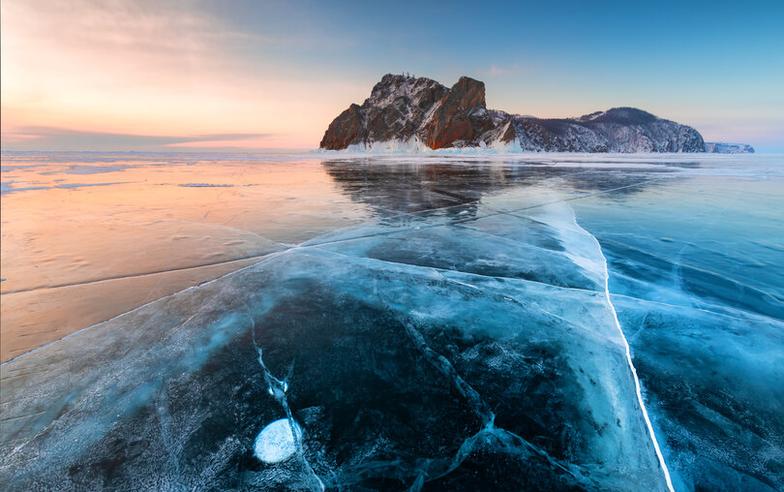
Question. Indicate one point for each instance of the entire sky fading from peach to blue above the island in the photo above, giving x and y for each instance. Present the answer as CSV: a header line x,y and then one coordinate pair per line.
x,y
195,75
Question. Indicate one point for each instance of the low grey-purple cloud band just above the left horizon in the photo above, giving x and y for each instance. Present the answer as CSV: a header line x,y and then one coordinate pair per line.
x,y
50,138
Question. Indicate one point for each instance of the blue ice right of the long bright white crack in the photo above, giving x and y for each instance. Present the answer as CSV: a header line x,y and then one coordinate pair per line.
x,y
699,293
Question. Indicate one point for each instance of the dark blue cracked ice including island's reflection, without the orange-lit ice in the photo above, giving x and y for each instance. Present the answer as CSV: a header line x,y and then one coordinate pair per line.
x,y
480,331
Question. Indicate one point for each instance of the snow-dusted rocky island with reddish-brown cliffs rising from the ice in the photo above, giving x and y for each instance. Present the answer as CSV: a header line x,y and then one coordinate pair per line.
x,y
409,112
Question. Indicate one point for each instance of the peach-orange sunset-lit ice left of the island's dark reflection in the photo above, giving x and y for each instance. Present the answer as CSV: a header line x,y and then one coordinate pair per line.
x,y
83,241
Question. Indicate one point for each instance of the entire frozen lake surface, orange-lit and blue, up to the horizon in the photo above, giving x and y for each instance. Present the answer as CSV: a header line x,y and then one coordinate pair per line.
x,y
542,322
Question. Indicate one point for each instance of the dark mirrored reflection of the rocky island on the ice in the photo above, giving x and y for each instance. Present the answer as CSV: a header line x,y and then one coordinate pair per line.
x,y
392,187
